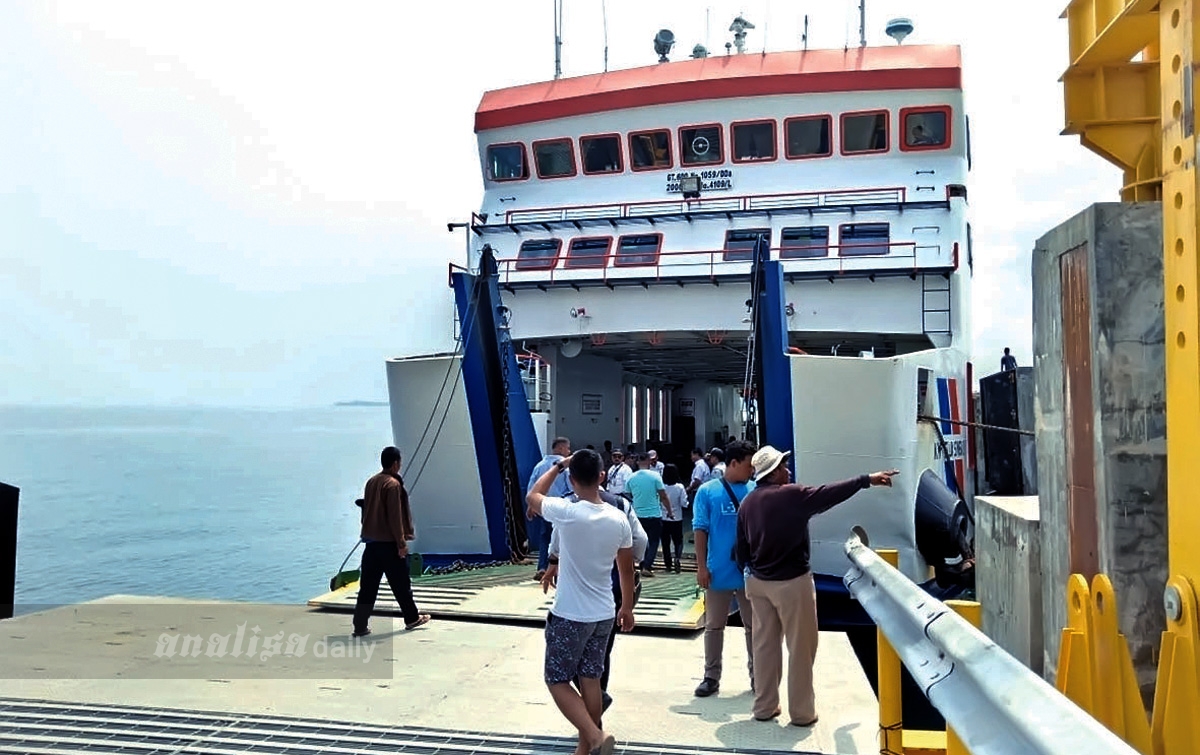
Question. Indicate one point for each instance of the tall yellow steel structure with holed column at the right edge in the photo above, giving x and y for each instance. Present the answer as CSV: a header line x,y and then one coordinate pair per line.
x,y
1108,103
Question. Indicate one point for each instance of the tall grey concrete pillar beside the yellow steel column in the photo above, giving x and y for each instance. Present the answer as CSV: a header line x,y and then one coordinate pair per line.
x,y
1125,279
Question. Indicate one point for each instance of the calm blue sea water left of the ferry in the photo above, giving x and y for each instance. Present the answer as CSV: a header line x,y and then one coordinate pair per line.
x,y
196,504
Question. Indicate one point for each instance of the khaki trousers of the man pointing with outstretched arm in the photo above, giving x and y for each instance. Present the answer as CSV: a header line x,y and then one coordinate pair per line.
x,y
784,612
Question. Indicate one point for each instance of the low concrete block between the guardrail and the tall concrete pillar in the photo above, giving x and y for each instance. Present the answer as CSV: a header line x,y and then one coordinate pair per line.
x,y
1009,576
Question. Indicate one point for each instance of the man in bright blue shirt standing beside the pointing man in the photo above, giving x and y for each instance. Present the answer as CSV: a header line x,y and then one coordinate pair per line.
x,y
716,525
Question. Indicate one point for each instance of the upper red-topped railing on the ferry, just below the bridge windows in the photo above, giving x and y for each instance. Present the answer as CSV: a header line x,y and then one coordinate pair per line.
x,y
655,208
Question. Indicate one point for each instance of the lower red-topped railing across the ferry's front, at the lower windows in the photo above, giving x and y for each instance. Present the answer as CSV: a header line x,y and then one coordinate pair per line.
x,y
819,261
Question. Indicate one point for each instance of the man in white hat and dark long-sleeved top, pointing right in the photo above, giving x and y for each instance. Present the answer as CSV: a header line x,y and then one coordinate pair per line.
x,y
773,542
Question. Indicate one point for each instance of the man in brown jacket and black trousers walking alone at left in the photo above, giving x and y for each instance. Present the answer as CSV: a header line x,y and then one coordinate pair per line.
x,y
387,530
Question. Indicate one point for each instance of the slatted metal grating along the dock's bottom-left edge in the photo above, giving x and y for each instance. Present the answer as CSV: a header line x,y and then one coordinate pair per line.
x,y
51,728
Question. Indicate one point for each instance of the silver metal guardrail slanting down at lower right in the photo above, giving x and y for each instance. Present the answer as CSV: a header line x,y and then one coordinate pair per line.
x,y
995,704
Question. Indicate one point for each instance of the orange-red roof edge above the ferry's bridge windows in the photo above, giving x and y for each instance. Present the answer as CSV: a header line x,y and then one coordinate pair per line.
x,y
871,69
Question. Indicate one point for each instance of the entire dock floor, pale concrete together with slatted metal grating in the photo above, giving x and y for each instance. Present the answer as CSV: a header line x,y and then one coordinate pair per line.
x,y
87,679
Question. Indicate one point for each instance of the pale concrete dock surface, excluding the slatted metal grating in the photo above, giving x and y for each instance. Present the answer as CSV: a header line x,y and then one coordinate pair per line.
x,y
448,675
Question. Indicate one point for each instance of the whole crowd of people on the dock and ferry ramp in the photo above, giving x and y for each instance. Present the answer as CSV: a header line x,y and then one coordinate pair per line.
x,y
597,520
